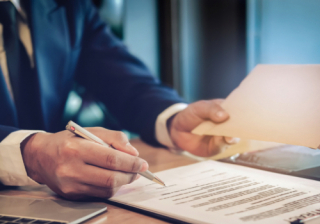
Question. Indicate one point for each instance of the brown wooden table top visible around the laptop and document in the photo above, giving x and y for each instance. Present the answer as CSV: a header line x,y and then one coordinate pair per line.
x,y
159,159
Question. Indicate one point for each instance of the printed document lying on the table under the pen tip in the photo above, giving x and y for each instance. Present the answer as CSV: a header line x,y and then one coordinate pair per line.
x,y
215,192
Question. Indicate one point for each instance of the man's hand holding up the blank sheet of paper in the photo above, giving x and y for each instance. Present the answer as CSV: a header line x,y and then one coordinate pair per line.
x,y
181,125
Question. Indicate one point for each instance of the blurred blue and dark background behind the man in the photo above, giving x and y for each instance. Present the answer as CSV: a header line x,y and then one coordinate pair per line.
x,y
204,48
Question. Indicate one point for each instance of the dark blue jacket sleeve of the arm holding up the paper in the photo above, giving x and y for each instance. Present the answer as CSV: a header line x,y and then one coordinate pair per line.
x,y
120,80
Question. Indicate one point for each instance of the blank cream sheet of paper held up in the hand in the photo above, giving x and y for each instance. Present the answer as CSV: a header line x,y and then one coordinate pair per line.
x,y
276,103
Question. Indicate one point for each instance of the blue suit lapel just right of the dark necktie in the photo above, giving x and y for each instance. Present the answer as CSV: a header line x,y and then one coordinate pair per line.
x,y
49,31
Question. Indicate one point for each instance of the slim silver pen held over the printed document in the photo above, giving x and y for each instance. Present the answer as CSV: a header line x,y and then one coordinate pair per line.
x,y
79,131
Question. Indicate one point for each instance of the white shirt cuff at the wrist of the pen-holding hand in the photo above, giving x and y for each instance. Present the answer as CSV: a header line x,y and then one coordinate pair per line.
x,y
12,169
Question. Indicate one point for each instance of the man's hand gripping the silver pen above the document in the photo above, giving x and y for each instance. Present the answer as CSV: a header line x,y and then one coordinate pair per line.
x,y
76,168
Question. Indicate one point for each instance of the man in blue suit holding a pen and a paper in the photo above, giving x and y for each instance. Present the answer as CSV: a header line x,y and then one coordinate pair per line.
x,y
44,47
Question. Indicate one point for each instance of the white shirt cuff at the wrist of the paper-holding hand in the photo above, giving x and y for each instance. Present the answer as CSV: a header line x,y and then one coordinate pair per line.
x,y
162,132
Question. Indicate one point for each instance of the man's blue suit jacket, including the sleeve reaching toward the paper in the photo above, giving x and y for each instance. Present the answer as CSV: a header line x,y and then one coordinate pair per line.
x,y
70,44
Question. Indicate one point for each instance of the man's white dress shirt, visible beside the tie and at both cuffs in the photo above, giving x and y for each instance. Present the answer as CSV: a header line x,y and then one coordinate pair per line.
x,y
12,169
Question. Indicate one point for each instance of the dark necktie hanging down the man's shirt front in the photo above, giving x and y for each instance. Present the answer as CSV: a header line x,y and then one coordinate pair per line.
x,y
23,78
